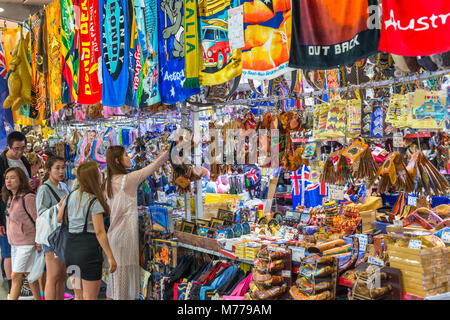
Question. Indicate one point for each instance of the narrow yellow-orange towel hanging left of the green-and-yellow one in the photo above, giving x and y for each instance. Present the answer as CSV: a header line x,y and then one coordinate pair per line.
x,y
54,55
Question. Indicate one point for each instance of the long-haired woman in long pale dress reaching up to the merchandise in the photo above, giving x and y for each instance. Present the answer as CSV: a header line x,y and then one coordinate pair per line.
x,y
123,232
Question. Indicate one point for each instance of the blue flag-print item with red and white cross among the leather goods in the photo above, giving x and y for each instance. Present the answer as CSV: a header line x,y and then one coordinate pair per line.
x,y
305,192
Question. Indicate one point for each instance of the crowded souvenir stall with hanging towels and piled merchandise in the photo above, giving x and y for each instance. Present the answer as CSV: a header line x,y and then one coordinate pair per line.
x,y
309,143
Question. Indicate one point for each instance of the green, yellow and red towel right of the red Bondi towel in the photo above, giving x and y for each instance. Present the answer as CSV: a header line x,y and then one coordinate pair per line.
x,y
69,51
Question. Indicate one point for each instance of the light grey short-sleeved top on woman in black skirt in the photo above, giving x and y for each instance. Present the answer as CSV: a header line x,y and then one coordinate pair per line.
x,y
77,211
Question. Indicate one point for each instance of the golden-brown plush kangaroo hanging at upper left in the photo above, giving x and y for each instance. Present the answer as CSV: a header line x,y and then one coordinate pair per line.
x,y
19,81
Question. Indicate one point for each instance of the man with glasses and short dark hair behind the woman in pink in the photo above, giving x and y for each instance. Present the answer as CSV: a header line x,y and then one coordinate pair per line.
x,y
11,157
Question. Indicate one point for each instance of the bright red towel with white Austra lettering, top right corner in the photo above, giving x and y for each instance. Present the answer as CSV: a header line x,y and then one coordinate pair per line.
x,y
415,29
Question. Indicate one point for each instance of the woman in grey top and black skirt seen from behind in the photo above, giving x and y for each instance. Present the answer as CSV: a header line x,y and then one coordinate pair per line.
x,y
84,208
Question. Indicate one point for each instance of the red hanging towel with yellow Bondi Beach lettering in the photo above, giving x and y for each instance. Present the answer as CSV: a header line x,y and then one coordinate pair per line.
x,y
90,90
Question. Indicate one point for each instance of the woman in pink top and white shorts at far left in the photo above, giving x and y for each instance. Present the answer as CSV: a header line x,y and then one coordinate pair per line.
x,y
21,231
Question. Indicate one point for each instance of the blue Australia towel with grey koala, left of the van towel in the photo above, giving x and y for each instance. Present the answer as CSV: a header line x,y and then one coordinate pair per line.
x,y
171,52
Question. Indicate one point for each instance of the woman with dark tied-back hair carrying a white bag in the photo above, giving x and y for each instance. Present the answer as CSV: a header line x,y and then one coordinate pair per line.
x,y
48,201
